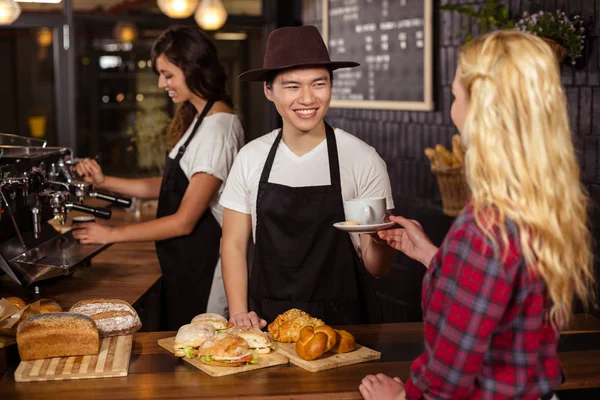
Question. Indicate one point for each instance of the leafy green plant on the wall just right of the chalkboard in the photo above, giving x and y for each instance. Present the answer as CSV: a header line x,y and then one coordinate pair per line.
x,y
489,16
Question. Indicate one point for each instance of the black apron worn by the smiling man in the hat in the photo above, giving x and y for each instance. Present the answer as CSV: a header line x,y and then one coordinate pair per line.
x,y
300,259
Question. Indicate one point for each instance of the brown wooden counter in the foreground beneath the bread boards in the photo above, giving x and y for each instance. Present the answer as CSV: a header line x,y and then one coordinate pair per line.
x,y
155,373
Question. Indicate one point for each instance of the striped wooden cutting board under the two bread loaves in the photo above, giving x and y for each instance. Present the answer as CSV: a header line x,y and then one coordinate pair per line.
x,y
112,361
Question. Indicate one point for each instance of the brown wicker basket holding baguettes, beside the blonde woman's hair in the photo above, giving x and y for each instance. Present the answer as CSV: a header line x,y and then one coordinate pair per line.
x,y
454,189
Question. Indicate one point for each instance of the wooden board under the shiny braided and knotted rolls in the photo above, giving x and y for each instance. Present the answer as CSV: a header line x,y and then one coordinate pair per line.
x,y
328,360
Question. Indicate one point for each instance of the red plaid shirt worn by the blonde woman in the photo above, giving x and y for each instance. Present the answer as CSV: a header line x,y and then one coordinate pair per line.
x,y
487,335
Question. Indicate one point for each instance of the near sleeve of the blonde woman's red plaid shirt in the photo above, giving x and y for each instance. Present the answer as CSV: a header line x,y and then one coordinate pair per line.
x,y
468,294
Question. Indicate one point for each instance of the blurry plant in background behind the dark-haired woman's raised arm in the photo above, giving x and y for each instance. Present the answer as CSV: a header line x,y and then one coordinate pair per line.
x,y
148,138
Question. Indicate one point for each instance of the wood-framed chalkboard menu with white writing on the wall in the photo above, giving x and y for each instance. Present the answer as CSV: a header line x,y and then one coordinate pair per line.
x,y
392,40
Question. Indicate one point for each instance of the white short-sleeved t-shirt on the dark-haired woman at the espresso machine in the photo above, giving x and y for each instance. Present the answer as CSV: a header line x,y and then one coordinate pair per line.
x,y
212,150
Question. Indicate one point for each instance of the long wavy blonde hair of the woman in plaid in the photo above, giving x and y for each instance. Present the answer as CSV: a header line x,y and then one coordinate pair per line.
x,y
520,161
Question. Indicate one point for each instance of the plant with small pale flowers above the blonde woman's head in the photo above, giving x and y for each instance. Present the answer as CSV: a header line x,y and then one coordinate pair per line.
x,y
558,27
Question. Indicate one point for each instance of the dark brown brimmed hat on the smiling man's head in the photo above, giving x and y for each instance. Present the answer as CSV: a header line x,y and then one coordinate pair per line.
x,y
292,47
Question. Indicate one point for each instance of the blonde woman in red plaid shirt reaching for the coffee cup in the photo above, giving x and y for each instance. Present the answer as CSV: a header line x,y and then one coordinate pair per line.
x,y
503,282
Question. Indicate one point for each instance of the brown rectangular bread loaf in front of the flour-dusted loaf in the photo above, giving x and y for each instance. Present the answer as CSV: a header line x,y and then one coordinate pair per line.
x,y
57,335
